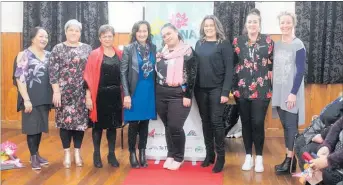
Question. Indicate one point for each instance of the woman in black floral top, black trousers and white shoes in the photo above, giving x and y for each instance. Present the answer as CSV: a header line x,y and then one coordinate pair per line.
x,y
252,86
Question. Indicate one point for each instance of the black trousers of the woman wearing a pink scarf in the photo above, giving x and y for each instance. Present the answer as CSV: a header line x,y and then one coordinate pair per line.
x,y
169,104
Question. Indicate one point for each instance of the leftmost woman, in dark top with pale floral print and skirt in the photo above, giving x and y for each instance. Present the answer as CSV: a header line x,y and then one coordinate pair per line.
x,y
35,93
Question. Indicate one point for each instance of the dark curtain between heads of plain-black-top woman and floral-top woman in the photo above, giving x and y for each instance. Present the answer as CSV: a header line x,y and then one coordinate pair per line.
x,y
232,15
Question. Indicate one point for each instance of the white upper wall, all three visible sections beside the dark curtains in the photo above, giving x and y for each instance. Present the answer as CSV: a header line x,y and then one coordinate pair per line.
x,y
122,15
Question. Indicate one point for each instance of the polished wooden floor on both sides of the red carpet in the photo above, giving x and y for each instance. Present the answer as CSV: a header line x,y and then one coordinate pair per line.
x,y
55,174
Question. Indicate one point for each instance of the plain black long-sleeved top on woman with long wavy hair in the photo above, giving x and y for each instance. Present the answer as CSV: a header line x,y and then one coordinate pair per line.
x,y
215,65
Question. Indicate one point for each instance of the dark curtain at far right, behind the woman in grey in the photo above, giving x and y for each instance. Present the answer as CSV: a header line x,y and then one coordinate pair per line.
x,y
320,27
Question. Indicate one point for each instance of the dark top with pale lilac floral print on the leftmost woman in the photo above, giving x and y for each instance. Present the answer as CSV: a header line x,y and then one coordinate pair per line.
x,y
33,72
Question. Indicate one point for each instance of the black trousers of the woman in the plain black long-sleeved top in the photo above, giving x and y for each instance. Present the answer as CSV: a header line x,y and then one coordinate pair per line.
x,y
211,113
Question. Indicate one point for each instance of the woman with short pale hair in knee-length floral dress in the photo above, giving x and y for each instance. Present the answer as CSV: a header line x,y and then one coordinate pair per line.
x,y
67,64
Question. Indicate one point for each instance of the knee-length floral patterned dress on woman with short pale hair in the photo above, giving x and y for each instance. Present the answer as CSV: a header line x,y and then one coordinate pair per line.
x,y
67,65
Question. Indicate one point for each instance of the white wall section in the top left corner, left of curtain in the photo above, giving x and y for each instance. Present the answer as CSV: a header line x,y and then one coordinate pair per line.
x,y
11,16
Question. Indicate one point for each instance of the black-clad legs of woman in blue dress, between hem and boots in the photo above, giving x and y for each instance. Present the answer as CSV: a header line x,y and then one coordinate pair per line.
x,y
138,128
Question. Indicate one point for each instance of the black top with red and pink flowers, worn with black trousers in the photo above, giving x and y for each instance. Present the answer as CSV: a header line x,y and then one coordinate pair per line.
x,y
253,61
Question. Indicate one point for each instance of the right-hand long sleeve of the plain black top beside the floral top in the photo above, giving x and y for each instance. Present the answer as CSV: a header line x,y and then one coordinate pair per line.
x,y
227,53
